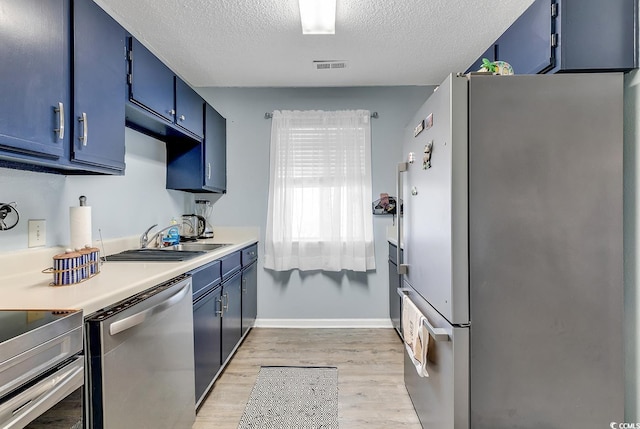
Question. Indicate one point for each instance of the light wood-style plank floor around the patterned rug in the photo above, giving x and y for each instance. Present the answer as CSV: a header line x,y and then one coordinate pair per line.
x,y
371,392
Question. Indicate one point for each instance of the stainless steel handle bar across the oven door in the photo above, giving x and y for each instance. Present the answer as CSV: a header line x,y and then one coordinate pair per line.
x,y
34,401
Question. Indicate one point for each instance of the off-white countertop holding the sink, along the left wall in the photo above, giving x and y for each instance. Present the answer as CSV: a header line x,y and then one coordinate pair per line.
x,y
24,286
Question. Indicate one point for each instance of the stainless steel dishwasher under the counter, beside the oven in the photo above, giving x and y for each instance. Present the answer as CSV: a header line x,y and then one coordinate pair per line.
x,y
140,360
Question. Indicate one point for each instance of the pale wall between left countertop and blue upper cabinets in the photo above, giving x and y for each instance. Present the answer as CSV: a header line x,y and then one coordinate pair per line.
x,y
120,205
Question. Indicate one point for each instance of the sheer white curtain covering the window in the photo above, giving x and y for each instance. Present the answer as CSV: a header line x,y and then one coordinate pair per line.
x,y
319,215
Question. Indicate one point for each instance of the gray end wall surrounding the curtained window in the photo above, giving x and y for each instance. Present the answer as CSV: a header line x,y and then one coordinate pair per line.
x,y
310,295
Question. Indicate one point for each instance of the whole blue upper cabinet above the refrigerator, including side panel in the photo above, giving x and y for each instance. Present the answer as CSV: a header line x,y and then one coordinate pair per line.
x,y
570,36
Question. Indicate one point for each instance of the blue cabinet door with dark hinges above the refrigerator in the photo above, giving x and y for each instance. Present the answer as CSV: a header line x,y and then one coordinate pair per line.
x,y
526,45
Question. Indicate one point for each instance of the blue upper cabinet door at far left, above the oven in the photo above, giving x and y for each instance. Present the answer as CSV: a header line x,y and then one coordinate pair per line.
x,y
34,107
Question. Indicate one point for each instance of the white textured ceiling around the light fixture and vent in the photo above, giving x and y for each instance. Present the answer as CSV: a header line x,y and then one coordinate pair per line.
x,y
254,43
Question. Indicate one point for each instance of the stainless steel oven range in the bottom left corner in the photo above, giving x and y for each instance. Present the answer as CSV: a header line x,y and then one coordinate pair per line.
x,y
41,369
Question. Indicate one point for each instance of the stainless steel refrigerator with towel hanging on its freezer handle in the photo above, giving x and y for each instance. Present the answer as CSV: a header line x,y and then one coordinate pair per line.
x,y
512,235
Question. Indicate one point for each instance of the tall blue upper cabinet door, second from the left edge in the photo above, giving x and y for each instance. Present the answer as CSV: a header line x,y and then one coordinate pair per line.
x,y
99,87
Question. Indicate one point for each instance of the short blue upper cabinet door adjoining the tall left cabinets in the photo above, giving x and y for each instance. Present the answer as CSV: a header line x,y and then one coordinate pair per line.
x,y
151,82
